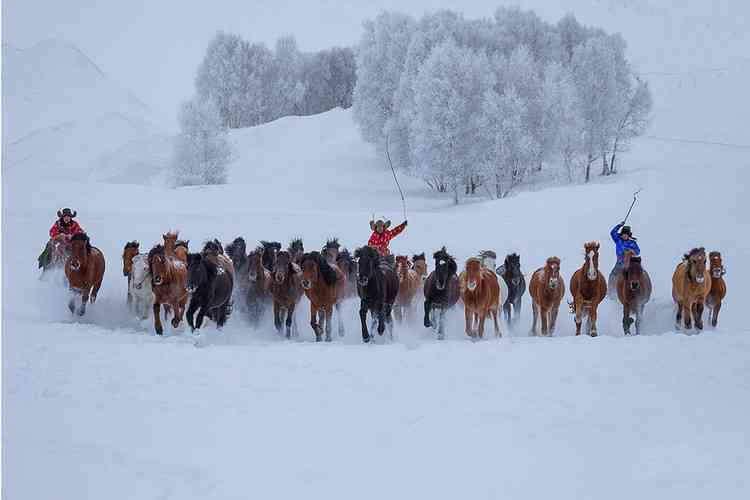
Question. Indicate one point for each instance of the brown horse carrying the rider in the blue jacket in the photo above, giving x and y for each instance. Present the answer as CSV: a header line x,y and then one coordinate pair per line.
x,y
634,291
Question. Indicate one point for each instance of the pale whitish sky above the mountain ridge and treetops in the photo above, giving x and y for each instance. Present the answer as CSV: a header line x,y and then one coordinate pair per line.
x,y
154,47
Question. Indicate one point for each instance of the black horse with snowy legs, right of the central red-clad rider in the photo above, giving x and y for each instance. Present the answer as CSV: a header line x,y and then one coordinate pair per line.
x,y
440,291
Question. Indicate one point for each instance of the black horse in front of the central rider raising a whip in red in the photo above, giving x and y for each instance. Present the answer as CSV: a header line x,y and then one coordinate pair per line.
x,y
377,286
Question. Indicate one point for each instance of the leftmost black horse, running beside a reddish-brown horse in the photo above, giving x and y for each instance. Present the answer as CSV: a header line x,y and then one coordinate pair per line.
x,y
210,287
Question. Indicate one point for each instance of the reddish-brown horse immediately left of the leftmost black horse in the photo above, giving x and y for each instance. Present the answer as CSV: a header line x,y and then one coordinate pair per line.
x,y
169,284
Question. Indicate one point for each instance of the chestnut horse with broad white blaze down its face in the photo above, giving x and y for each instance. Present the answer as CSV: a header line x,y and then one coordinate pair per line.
x,y
588,287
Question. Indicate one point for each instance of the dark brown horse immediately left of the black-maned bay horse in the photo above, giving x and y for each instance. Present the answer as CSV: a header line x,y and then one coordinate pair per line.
x,y
286,291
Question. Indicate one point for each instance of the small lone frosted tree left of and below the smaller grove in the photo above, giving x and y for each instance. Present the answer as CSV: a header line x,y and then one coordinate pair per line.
x,y
202,151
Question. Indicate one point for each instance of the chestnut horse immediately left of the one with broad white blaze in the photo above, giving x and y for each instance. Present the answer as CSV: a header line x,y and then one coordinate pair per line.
x,y
547,288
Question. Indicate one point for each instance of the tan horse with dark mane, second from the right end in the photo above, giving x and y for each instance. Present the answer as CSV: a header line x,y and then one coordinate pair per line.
x,y
691,283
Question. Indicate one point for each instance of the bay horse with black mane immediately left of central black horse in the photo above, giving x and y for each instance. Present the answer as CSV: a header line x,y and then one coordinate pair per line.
x,y
323,284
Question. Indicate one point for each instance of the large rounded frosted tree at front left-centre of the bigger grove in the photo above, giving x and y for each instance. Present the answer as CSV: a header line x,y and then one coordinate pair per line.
x,y
448,94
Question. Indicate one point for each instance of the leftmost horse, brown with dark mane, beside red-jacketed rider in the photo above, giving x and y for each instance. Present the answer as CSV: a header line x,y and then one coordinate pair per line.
x,y
84,270
